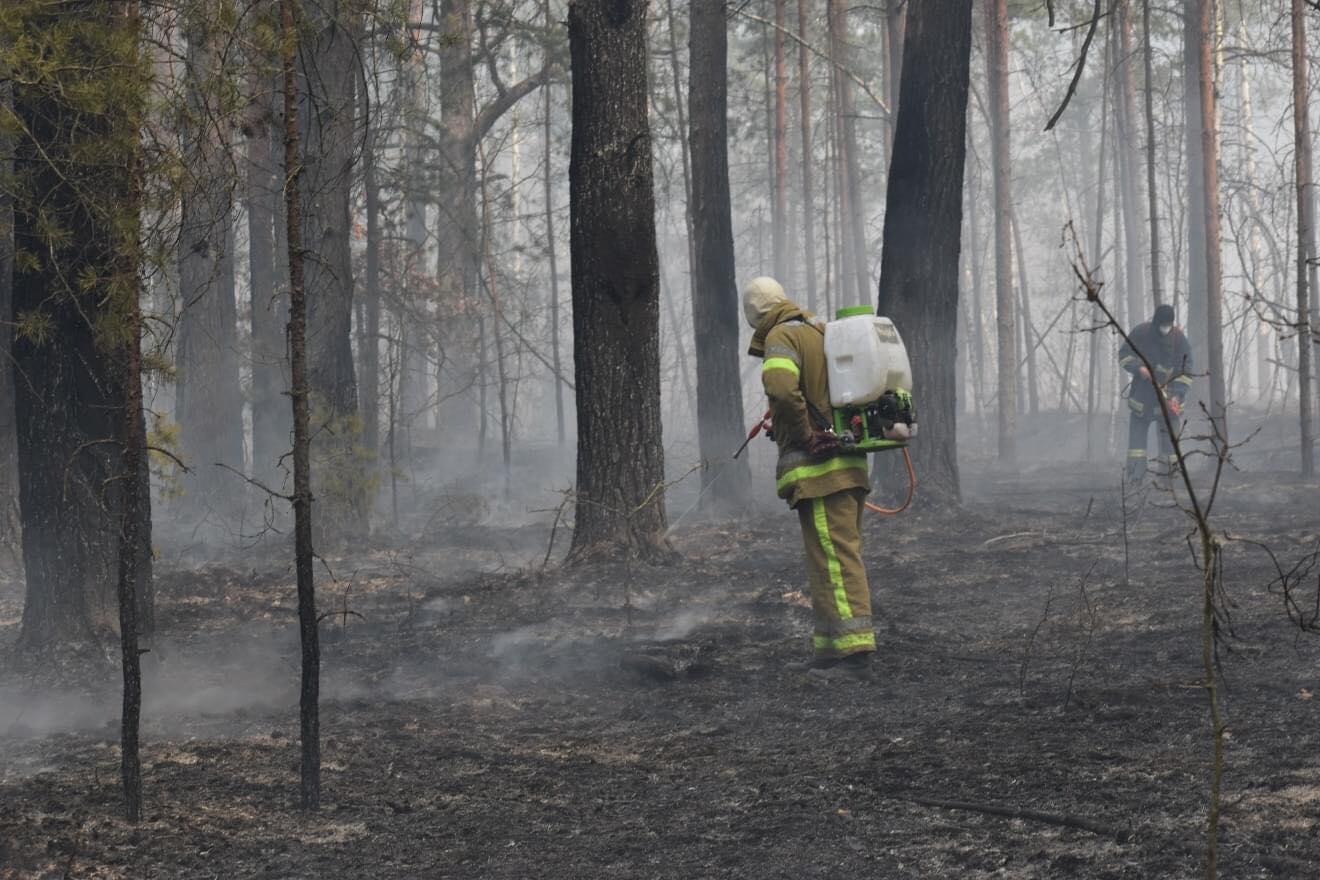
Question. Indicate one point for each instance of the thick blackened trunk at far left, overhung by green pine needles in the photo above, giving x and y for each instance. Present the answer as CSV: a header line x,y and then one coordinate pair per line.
x,y
75,221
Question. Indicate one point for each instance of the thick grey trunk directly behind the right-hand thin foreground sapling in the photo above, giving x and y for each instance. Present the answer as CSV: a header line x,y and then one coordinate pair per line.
x,y
328,79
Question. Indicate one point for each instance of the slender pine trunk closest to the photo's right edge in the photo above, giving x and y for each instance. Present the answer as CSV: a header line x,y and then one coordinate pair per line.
x,y
1306,230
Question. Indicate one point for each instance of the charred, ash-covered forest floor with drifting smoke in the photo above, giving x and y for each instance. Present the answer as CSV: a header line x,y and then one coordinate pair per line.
x,y
1037,709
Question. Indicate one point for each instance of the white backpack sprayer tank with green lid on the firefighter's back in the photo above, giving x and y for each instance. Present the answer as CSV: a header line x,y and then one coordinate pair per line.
x,y
871,382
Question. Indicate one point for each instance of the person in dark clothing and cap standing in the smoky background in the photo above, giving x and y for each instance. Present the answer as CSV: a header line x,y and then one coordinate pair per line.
x,y
1168,350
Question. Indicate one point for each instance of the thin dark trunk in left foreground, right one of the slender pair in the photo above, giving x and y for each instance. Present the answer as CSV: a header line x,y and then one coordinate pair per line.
x,y
296,170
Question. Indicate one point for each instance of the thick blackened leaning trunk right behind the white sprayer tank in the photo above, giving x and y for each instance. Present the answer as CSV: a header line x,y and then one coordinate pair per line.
x,y
919,275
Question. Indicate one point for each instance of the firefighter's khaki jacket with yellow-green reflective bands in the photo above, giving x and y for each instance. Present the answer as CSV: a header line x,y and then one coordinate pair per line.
x,y
794,375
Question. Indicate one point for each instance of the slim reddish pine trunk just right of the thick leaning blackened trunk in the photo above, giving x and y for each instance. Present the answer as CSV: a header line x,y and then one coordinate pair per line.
x,y
997,64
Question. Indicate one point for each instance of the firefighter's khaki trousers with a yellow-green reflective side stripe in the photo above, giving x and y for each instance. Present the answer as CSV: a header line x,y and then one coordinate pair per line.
x,y
841,598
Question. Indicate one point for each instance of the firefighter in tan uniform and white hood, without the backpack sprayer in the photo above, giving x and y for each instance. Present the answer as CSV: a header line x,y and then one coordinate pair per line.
x,y
827,487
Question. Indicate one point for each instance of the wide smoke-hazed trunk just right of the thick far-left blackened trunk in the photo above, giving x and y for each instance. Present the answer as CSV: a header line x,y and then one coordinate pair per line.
x,y
209,404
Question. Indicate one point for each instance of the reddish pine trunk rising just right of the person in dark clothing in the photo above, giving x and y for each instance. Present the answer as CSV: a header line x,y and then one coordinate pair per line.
x,y
1211,185
